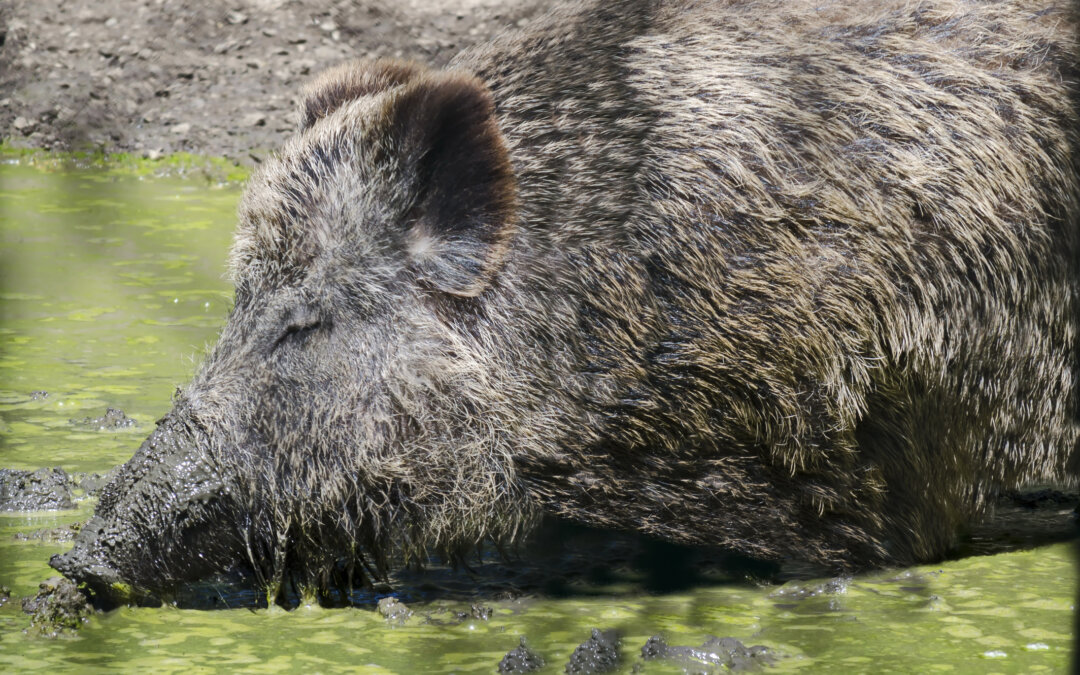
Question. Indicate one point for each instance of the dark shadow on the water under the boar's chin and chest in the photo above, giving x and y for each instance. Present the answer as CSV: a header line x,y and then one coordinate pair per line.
x,y
561,560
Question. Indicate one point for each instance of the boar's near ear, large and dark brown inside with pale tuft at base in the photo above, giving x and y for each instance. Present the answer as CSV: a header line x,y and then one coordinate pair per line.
x,y
445,133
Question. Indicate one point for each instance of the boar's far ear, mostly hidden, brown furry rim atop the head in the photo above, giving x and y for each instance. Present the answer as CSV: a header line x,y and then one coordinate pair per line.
x,y
341,85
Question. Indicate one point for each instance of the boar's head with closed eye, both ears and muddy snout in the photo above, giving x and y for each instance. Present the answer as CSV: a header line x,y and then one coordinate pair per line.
x,y
345,415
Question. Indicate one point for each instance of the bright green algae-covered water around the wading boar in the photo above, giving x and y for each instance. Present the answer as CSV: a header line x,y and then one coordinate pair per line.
x,y
112,285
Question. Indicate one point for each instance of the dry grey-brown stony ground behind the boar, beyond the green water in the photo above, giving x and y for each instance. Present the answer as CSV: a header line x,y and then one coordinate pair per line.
x,y
156,77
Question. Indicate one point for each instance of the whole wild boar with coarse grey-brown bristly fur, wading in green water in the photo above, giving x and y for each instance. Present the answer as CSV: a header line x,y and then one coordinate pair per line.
x,y
796,279
